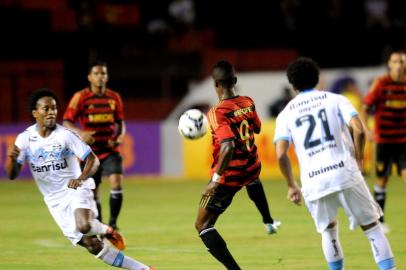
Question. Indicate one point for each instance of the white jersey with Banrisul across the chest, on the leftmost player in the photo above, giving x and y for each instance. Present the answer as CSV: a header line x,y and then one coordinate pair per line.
x,y
53,160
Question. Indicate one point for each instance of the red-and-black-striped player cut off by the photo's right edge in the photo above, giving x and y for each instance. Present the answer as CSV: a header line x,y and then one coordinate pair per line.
x,y
387,98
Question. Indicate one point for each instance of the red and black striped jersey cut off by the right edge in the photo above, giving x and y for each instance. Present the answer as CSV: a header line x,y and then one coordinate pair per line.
x,y
389,99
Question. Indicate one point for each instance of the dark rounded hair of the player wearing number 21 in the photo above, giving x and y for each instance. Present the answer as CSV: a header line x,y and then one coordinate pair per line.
x,y
303,73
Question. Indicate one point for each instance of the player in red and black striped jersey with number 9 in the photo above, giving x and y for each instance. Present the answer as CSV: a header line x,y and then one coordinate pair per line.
x,y
233,122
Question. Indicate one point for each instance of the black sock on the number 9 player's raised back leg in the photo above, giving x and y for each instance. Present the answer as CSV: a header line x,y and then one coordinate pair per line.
x,y
257,195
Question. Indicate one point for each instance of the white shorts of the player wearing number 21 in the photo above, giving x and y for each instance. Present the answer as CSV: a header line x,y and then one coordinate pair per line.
x,y
358,204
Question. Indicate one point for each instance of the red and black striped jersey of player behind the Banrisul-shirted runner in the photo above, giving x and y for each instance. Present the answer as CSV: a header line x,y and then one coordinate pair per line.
x,y
99,114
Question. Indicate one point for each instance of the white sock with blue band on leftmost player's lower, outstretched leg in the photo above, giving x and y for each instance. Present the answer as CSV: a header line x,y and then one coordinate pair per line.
x,y
116,258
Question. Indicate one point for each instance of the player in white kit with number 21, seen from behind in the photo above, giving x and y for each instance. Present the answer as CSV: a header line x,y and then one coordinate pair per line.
x,y
329,139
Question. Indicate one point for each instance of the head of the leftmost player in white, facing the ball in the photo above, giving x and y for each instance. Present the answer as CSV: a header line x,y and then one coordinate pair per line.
x,y
42,104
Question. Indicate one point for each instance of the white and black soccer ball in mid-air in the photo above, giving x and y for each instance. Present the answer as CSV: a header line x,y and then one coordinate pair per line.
x,y
193,124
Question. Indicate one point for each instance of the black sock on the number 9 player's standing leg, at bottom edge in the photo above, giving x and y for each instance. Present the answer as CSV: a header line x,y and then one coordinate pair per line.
x,y
218,248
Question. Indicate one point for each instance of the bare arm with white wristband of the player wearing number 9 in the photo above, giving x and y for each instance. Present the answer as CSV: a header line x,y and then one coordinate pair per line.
x,y
226,153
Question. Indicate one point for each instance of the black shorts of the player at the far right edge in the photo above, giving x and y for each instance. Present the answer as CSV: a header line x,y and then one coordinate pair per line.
x,y
386,155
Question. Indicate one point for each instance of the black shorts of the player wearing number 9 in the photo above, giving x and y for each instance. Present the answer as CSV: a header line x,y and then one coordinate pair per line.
x,y
220,200
